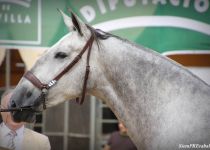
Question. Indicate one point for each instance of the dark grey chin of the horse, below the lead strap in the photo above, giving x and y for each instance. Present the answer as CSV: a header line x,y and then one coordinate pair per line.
x,y
24,116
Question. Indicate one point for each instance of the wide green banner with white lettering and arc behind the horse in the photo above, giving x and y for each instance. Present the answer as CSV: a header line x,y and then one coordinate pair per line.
x,y
163,25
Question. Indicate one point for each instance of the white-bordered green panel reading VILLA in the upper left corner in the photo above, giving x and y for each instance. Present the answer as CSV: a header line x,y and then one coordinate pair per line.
x,y
20,22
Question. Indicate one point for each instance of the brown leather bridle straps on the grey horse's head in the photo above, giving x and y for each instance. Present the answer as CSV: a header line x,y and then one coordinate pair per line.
x,y
44,88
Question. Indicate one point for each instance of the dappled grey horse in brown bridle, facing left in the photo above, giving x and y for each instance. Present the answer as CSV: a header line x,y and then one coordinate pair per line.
x,y
163,105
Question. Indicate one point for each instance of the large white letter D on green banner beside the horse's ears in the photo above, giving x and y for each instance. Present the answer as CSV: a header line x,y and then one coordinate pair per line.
x,y
88,13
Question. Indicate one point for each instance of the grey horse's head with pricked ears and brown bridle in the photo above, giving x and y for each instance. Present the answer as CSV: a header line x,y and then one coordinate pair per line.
x,y
52,66
